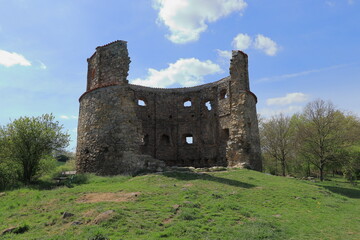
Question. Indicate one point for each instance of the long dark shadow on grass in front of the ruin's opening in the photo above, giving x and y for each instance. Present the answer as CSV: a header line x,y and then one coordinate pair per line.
x,y
207,177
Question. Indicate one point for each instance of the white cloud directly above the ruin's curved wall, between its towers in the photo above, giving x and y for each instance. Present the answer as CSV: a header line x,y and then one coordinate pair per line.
x,y
185,72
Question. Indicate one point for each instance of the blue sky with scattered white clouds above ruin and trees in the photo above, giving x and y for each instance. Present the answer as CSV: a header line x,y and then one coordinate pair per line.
x,y
299,50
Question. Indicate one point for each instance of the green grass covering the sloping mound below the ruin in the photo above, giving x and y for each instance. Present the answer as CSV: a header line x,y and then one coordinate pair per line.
x,y
237,204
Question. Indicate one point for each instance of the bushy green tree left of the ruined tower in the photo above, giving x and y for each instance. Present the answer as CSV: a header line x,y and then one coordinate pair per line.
x,y
26,141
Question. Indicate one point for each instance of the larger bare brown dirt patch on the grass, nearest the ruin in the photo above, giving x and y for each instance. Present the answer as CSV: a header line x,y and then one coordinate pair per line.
x,y
108,197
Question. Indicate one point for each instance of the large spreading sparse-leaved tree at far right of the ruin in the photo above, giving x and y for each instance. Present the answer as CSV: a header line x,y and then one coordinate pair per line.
x,y
323,132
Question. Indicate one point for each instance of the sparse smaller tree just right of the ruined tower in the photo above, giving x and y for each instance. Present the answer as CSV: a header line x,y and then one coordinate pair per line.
x,y
277,139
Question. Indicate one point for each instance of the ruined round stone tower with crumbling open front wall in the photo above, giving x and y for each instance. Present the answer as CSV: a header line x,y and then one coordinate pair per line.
x,y
125,128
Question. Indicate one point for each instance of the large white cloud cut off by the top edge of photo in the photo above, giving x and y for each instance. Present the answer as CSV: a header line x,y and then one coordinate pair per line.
x,y
187,19
